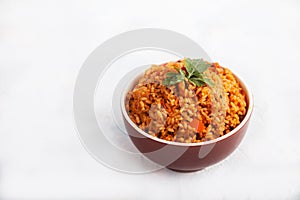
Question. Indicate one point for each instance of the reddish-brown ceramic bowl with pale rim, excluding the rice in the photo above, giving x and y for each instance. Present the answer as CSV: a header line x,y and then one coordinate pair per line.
x,y
186,156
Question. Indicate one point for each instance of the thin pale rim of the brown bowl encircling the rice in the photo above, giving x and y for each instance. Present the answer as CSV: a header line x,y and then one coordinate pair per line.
x,y
245,87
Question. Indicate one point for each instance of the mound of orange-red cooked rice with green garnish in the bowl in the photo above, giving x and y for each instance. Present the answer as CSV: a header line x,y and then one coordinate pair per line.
x,y
188,101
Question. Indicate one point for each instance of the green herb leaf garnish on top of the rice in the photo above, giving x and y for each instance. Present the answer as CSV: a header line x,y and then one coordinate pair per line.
x,y
195,69
